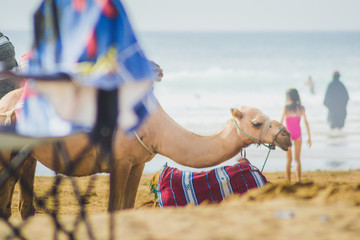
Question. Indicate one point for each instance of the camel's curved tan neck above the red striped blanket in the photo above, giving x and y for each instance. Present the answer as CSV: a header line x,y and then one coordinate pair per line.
x,y
193,150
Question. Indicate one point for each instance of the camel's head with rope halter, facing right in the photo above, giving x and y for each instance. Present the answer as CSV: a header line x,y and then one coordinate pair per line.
x,y
259,128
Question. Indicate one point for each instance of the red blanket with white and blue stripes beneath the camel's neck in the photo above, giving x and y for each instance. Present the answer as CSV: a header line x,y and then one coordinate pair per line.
x,y
179,188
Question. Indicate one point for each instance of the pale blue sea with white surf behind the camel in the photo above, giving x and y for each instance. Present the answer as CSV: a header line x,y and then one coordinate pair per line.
x,y
207,73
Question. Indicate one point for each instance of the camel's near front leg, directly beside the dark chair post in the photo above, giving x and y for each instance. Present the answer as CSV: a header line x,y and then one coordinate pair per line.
x,y
119,174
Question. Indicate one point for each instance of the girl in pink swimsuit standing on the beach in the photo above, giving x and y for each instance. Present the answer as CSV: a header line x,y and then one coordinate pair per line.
x,y
292,113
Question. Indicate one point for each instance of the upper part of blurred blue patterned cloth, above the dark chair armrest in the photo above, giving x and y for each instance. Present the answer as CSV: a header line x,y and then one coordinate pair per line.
x,y
103,46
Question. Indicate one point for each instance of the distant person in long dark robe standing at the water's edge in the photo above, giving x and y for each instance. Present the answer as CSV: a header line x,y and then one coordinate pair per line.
x,y
336,99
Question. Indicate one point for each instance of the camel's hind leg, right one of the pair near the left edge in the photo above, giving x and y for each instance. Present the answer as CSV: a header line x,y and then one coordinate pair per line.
x,y
26,204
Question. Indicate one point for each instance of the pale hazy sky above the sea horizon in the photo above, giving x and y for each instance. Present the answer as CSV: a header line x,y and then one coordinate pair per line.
x,y
215,15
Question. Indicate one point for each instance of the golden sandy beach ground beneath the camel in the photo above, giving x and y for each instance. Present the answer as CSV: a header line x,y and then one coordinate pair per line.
x,y
324,206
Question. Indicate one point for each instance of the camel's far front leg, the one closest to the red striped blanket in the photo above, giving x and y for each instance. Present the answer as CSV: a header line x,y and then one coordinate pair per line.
x,y
132,186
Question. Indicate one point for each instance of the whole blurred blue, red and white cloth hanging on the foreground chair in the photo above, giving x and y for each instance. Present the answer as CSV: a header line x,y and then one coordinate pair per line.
x,y
85,54
